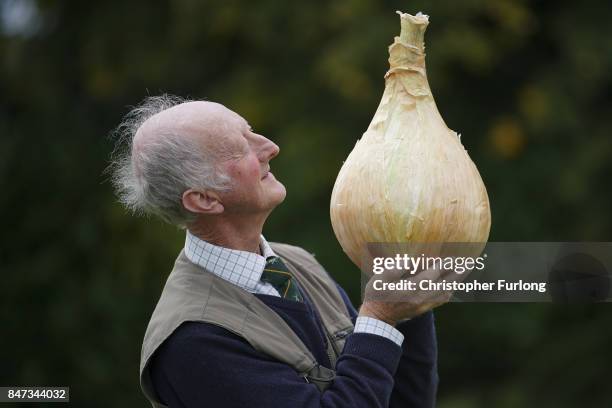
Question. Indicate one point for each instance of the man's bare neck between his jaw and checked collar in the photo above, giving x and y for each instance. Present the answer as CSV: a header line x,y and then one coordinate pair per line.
x,y
243,236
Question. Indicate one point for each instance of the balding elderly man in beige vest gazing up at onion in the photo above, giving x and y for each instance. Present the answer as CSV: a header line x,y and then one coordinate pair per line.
x,y
242,322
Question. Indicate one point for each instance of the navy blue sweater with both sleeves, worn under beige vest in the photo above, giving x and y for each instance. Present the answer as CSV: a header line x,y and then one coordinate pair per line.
x,y
203,365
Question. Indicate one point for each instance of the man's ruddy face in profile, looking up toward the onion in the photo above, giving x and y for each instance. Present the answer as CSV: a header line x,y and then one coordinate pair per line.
x,y
254,189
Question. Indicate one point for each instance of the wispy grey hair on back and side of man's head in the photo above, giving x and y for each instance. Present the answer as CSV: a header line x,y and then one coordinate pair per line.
x,y
152,179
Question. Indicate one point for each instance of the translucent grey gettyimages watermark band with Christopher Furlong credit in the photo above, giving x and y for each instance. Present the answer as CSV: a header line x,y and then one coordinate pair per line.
x,y
493,272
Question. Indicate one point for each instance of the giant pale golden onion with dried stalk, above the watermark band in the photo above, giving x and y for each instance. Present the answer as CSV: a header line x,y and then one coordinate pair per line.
x,y
409,178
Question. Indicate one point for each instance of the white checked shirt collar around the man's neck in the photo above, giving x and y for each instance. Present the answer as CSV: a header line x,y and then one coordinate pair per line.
x,y
242,268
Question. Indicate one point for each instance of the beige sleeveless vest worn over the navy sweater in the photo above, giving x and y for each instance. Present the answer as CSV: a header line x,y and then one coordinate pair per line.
x,y
193,294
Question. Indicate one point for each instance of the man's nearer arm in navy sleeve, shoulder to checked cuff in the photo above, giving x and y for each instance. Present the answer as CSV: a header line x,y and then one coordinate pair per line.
x,y
205,365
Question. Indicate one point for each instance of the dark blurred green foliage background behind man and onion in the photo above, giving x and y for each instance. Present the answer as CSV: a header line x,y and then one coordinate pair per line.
x,y
526,83
